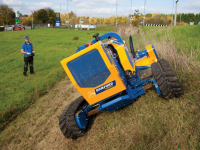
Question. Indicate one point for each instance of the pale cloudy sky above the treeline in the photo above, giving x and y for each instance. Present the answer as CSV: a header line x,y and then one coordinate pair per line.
x,y
104,8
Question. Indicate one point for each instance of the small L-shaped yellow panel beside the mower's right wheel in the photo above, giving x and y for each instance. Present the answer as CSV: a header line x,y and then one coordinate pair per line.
x,y
148,60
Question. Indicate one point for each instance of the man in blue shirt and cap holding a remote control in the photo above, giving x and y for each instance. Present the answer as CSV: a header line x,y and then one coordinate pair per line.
x,y
27,50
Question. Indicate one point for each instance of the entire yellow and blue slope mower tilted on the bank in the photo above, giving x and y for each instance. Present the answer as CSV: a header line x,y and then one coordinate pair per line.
x,y
109,76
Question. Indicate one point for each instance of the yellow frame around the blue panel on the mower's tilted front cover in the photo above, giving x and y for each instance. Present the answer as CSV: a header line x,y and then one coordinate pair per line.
x,y
89,93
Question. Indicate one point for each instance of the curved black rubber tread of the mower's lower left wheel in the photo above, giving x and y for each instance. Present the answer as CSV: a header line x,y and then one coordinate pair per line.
x,y
67,120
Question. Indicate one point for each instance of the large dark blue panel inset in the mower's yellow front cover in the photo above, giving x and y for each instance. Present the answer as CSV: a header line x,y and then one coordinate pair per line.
x,y
89,70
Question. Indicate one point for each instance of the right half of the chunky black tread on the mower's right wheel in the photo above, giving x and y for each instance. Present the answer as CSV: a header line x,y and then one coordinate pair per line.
x,y
171,78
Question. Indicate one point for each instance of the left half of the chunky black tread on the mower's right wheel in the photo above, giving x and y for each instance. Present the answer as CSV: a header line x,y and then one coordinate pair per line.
x,y
161,81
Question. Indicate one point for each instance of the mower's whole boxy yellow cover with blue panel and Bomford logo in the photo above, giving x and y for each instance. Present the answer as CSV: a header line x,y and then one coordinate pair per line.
x,y
93,73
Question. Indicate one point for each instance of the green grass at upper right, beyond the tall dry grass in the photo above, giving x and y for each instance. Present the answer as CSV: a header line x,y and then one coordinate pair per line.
x,y
185,38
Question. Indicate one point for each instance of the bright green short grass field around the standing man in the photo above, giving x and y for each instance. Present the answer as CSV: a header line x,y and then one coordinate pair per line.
x,y
51,46
